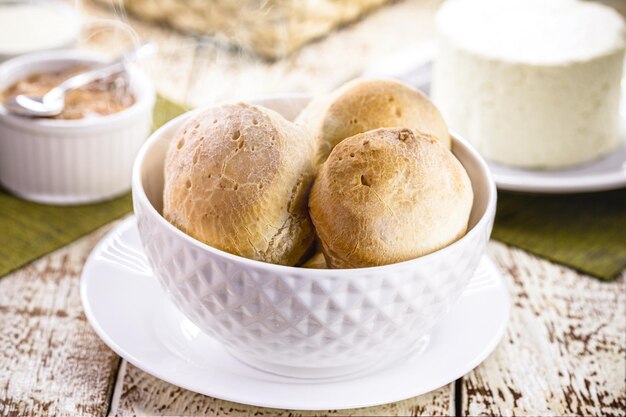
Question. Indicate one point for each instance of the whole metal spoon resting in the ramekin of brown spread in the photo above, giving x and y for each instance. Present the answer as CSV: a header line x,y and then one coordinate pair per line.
x,y
53,102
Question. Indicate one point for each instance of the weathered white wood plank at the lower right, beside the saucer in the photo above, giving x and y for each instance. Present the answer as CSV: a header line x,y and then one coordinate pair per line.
x,y
565,350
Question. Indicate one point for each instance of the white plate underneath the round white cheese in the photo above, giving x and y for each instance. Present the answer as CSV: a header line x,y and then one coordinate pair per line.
x,y
606,173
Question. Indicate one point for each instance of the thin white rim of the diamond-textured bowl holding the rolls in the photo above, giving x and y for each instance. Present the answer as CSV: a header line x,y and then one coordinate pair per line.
x,y
139,193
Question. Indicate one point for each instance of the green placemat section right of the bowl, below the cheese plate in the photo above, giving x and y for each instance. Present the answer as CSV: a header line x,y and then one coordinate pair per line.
x,y
584,231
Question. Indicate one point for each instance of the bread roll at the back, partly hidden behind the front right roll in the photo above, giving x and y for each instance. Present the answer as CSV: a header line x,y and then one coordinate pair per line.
x,y
367,104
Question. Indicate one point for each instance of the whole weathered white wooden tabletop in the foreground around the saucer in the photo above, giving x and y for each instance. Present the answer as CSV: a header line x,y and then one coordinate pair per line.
x,y
563,353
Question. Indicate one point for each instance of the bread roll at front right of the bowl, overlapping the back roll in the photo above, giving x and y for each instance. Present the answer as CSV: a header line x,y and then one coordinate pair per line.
x,y
389,195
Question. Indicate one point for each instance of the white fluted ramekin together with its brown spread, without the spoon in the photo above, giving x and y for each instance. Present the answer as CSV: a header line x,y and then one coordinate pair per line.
x,y
86,153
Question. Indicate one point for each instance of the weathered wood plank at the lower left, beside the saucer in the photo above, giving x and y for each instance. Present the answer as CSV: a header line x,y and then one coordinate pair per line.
x,y
51,361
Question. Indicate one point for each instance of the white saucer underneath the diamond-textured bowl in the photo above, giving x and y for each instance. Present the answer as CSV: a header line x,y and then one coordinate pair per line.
x,y
129,311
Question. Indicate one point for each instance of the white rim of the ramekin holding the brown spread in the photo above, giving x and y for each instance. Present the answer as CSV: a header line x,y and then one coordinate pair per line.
x,y
144,90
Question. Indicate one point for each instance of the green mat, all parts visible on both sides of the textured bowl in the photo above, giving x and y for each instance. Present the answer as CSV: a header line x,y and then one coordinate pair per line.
x,y
584,231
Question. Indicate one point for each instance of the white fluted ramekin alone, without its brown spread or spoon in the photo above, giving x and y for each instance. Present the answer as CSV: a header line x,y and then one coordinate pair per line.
x,y
71,161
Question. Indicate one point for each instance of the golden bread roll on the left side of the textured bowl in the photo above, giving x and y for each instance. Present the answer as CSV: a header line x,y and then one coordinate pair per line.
x,y
237,178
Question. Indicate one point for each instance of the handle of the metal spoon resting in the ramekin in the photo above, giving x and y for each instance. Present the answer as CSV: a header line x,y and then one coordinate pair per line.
x,y
107,70
